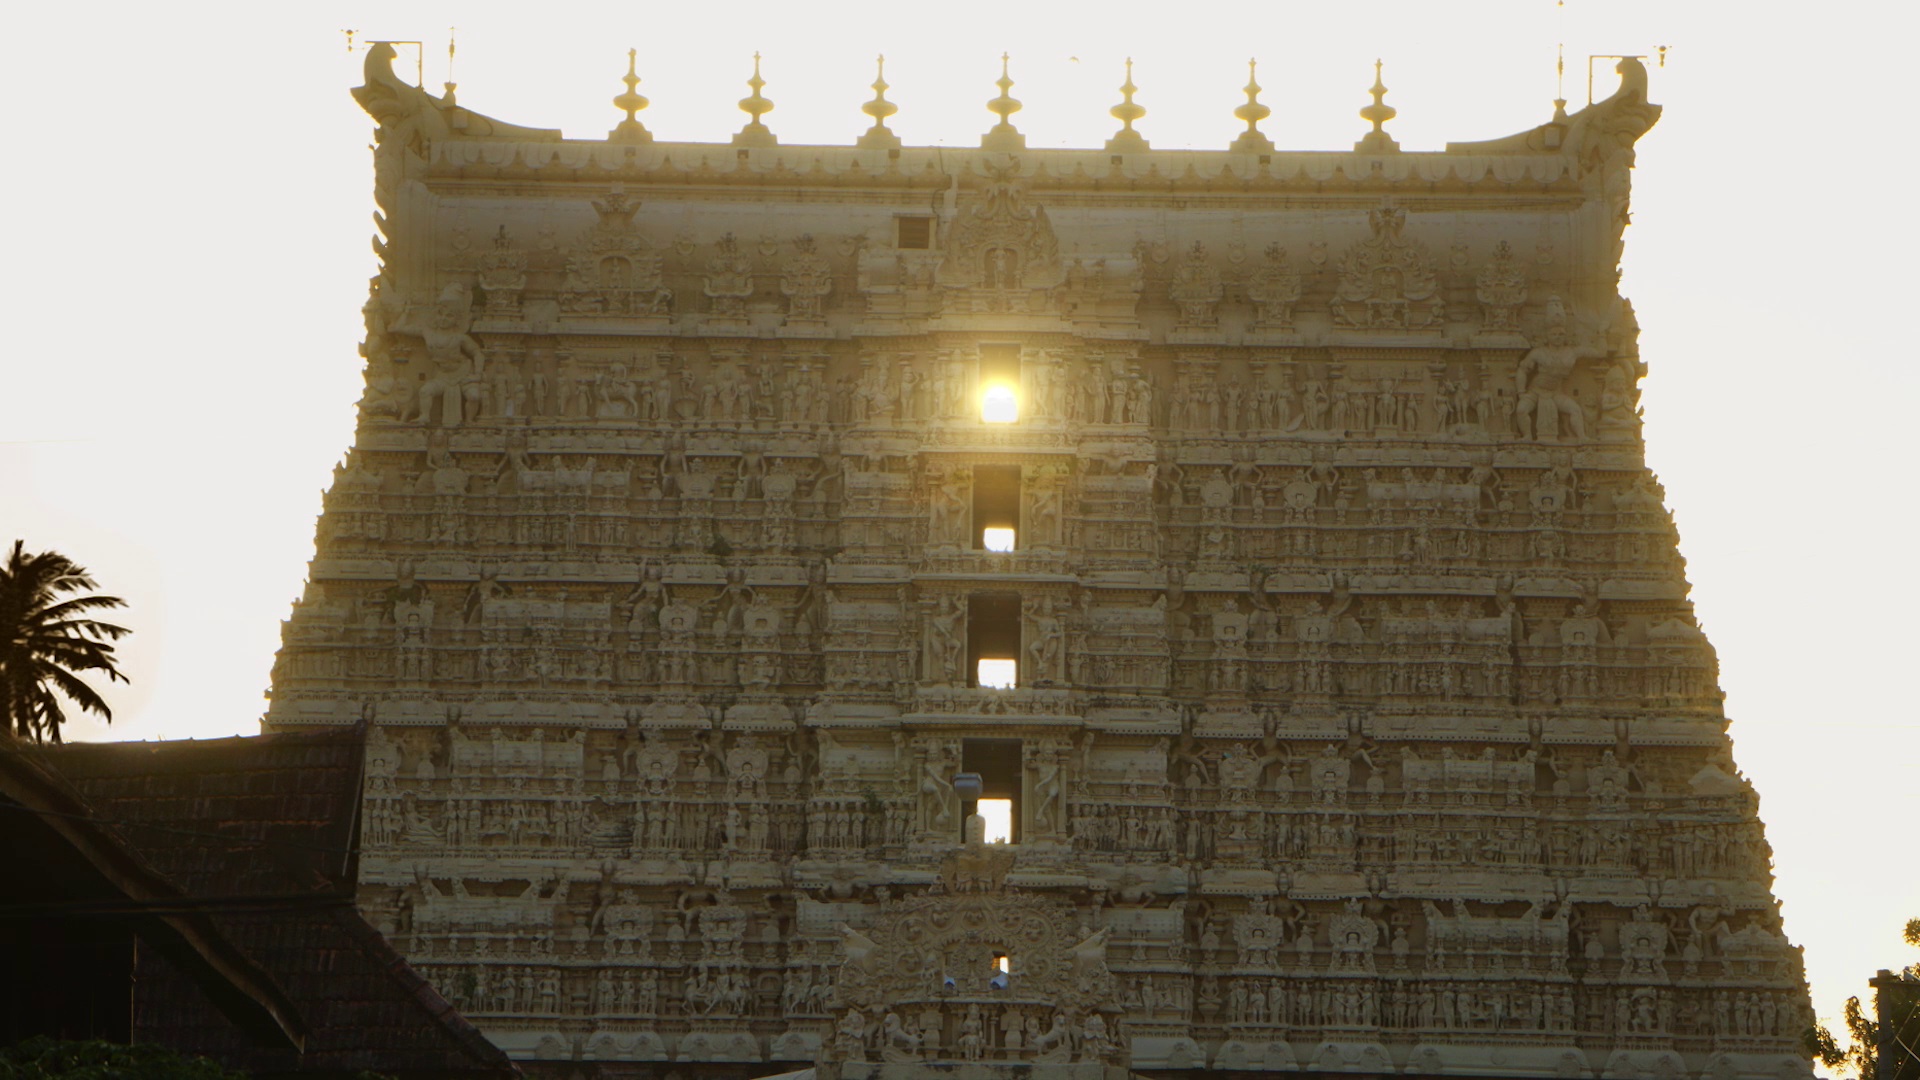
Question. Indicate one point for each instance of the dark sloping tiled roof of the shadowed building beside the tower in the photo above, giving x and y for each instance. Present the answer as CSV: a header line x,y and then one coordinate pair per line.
x,y
264,829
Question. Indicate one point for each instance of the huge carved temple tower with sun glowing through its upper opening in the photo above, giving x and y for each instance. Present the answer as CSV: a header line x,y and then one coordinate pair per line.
x,y
1257,543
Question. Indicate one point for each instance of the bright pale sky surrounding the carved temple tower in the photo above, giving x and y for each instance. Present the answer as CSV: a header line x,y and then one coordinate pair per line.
x,y
191,249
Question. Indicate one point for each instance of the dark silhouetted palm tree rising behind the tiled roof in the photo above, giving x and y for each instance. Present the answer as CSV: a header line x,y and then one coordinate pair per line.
x,y
47,641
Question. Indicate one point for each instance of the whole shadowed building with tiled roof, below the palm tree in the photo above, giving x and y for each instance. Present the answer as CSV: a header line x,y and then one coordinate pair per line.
x,y
203,891
